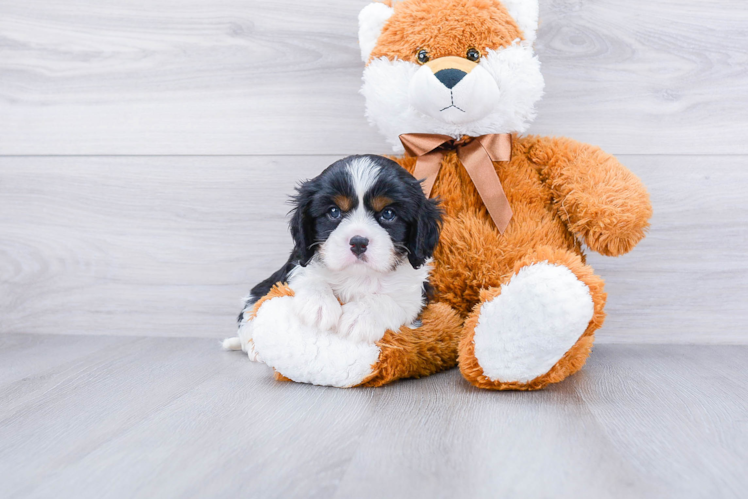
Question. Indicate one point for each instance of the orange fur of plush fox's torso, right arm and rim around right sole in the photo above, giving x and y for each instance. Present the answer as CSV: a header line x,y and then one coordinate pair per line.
x,y
558,188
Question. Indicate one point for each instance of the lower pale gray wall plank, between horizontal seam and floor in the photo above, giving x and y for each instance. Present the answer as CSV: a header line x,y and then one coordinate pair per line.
x,y
167,246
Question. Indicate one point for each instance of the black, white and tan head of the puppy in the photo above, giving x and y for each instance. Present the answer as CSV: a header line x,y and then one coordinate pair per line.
x,y
364,213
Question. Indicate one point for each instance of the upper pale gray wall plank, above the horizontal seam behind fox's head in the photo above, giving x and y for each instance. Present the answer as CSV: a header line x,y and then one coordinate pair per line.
x,y
282,77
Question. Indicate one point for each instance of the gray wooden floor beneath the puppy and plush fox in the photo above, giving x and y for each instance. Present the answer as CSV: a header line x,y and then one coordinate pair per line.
x,y
117,417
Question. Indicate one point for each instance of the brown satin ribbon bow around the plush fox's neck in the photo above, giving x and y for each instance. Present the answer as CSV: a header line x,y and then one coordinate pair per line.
x,y
477,155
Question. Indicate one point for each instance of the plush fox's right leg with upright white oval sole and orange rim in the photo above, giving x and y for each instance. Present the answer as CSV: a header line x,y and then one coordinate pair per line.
x,y
537,328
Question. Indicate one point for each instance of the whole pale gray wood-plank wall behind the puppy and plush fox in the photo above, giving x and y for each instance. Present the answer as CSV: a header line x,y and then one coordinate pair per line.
x,y
146,149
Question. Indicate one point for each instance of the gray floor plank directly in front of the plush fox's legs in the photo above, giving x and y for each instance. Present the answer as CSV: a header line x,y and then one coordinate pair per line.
x,y
442,438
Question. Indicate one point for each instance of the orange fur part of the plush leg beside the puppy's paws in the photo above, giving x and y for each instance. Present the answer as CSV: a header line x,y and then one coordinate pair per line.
x,y
418,352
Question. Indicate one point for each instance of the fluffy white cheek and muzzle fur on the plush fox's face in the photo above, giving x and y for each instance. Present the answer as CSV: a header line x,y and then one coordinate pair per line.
x,y
518,84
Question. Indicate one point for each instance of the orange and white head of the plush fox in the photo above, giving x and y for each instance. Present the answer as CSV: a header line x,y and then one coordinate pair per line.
x,y
451,67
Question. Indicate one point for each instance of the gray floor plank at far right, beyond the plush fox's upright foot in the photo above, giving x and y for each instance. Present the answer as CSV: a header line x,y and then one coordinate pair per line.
x,y
669,421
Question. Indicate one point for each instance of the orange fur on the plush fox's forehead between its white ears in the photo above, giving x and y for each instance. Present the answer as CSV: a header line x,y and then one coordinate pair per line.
x,y
451,31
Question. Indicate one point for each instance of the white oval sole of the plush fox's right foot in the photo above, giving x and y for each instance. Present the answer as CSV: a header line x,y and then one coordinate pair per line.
x,y
538,317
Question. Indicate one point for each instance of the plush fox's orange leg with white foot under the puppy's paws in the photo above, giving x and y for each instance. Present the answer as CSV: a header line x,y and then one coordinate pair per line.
x,y
303,354
